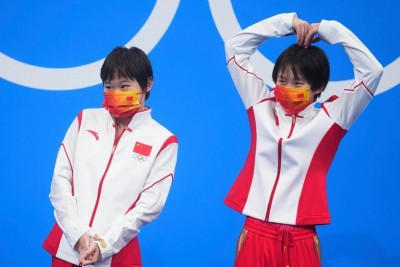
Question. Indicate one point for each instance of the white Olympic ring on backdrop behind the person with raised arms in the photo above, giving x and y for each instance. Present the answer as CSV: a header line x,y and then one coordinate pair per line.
x,y
227,25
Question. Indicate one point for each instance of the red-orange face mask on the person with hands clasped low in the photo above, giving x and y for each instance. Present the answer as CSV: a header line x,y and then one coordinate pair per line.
x,y
122,105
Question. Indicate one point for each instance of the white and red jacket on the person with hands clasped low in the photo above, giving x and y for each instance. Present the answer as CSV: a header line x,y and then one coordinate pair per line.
x,y
109,185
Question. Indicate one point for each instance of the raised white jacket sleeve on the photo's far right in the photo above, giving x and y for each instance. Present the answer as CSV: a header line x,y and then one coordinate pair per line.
x,y
367,74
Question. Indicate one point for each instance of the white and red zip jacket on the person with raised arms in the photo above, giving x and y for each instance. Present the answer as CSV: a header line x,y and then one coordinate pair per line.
x,y
284,177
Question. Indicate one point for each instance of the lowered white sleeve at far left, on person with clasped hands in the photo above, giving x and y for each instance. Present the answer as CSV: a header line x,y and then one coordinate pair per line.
x,y
61,194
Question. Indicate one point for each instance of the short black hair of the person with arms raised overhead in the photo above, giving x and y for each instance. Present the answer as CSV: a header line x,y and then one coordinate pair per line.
x,y
311,63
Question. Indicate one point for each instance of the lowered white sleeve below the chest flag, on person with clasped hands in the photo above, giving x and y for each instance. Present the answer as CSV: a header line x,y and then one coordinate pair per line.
x,y
147,207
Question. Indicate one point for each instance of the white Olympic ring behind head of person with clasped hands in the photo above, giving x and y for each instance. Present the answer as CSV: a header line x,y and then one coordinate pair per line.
x,y
87,75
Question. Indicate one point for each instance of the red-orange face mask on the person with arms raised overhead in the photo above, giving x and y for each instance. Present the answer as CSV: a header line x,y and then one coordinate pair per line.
x,y
292,100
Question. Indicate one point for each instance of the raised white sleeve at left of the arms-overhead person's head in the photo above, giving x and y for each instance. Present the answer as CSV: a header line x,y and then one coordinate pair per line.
x,y
243,45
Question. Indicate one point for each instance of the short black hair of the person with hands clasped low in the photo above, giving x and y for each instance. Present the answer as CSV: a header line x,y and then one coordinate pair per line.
x,y
130,63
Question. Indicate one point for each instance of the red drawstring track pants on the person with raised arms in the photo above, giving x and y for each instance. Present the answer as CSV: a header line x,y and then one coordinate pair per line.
x,y
263,244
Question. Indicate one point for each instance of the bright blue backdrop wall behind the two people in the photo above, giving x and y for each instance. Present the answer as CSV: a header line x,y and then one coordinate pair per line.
x,y
193,95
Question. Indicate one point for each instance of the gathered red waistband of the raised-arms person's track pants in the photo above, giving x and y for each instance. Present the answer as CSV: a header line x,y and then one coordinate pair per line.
x,y
277,231
